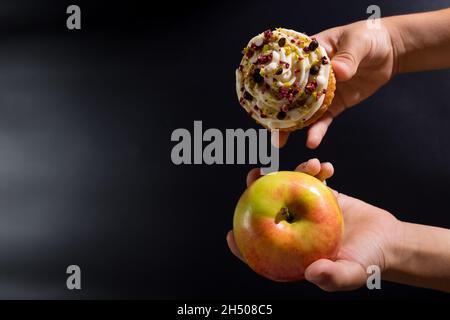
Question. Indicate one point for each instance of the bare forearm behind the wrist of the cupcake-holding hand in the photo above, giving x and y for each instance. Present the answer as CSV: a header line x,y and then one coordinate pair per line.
x,y
420,41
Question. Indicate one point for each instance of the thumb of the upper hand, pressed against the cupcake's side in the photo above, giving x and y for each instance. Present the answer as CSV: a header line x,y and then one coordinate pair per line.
x,y
350,52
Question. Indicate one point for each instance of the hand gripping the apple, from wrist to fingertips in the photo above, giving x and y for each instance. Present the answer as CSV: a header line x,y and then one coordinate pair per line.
x,y
369,234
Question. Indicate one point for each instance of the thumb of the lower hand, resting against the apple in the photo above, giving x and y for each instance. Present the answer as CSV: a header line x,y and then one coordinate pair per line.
x,y
337,275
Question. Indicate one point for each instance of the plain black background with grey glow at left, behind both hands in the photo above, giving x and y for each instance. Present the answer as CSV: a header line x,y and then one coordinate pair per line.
x,y
86,117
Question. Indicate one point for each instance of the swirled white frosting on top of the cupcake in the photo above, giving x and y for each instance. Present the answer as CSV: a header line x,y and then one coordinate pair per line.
x,y
295,73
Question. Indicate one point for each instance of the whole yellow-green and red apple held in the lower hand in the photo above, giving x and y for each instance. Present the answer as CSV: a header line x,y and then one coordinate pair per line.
x,y
285,221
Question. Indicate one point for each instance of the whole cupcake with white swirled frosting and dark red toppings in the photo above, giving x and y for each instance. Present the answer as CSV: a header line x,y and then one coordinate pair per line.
x,y
285,80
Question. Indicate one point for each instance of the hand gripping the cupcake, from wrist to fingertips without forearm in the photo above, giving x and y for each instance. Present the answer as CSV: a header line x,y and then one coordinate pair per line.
x,y
363,60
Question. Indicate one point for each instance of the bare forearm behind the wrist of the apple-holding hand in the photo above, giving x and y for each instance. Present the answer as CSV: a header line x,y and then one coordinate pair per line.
x,y
420,257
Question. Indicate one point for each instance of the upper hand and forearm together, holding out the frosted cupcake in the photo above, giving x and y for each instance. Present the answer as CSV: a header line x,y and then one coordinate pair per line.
x,y
364,59
